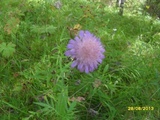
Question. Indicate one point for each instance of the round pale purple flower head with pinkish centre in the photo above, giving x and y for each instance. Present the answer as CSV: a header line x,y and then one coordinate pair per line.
x,y
86,50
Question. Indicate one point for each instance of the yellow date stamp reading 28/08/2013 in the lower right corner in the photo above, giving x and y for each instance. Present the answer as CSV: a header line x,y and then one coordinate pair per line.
x,y
131,108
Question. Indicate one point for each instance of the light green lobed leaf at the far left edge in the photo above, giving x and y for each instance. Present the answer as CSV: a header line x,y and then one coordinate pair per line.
x,y
7,50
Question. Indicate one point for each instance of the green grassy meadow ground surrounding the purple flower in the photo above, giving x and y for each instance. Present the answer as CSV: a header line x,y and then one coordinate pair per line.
x,y
37,82
